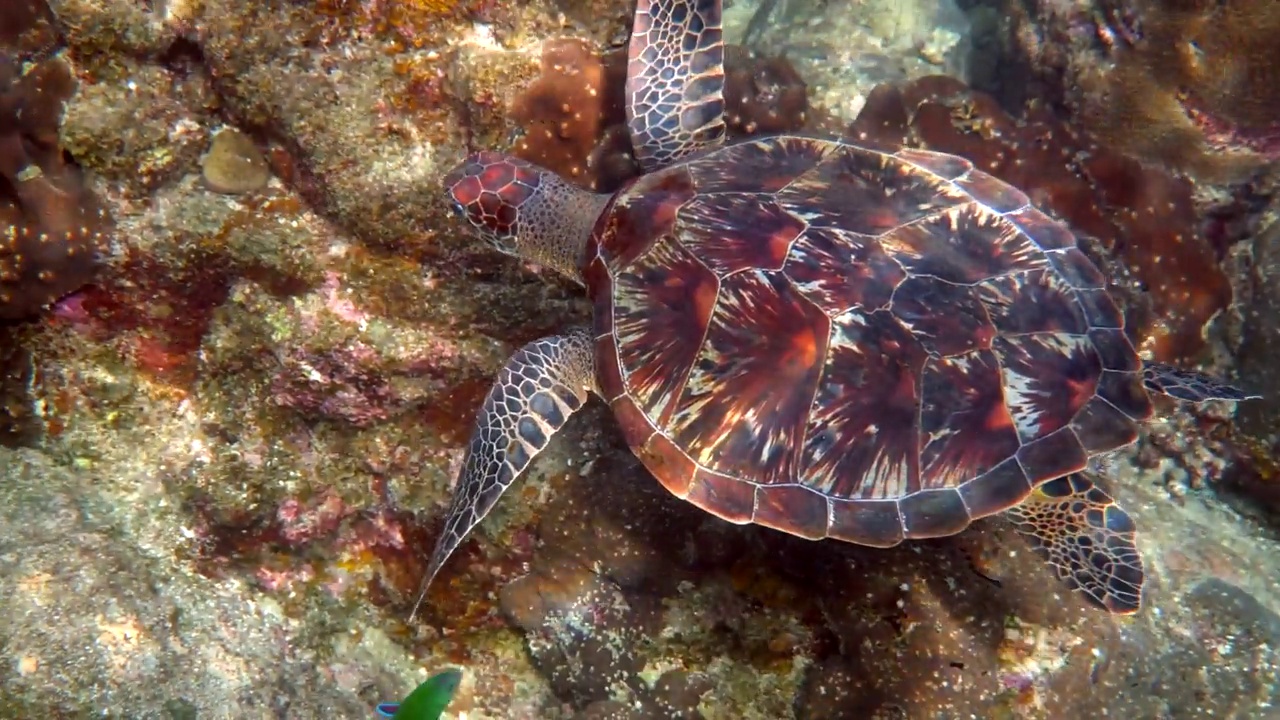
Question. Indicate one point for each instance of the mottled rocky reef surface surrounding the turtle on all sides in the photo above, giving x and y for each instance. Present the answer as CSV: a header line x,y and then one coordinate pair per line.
x,y
225,459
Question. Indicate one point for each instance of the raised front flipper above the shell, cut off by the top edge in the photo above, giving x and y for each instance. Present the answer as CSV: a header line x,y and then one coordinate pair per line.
x,y
675,80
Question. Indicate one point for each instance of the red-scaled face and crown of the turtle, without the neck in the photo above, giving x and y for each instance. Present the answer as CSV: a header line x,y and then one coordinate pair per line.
x,y
488,192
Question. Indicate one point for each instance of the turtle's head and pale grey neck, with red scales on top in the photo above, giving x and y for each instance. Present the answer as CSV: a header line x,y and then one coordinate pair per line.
x,y
525,211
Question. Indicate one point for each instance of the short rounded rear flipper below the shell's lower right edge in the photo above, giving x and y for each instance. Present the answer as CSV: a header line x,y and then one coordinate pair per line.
x,y
1087,539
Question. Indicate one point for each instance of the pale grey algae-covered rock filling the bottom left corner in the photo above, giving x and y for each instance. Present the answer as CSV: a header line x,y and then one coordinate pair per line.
x,y
127,632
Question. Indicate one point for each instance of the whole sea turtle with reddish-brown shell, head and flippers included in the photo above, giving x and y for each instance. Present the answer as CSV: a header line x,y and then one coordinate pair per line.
x,y
830,340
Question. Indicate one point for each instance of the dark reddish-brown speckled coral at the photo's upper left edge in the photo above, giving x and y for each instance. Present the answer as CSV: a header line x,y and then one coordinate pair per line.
x,y
52,229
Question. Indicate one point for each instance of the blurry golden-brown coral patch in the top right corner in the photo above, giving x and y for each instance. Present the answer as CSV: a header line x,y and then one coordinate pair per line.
x,y
1196,85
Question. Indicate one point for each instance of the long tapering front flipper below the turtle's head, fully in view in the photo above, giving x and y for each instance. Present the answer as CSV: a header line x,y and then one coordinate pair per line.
x,y
534,395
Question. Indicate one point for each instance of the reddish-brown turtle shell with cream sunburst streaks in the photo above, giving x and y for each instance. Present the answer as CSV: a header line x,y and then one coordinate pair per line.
x,y
835,341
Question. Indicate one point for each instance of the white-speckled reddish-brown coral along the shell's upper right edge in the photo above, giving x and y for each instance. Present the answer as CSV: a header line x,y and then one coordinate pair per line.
x,y
1144,217
